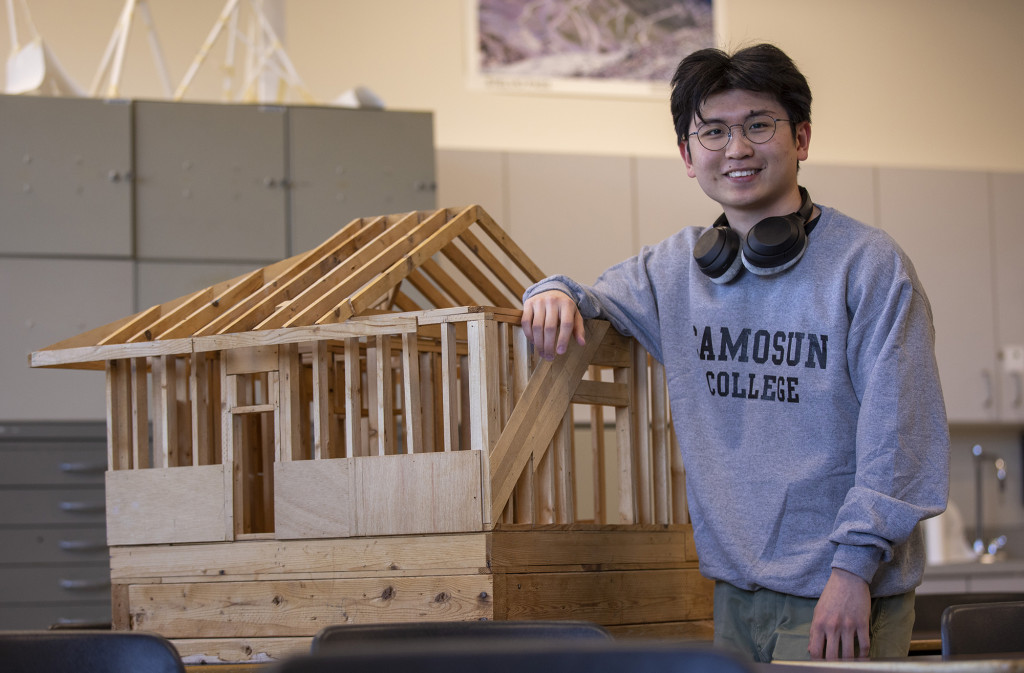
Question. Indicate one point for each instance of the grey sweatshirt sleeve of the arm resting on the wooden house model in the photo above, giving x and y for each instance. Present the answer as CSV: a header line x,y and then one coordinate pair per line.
x,y
623,296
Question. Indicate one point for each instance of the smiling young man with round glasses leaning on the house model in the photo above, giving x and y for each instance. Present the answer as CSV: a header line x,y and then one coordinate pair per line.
x,y
801,373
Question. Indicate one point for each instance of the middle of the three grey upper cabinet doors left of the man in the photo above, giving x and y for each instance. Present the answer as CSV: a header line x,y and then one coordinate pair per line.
x,y
211,182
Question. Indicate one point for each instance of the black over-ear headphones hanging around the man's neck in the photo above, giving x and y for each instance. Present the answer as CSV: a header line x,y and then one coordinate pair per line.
x,y
772,246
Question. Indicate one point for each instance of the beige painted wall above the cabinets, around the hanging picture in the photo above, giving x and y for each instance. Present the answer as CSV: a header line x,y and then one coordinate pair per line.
x,y
897,82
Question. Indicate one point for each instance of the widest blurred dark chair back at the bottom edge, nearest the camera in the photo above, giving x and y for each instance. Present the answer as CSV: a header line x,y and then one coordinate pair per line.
x,y
505,656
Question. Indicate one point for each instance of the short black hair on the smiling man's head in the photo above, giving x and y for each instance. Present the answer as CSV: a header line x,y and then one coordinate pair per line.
x,y
762,68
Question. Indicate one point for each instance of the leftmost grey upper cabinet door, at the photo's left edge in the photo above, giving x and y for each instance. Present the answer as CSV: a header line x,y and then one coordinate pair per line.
x,y
66,177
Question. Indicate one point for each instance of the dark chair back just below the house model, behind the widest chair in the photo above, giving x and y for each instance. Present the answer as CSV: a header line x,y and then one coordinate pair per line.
x,y
338,636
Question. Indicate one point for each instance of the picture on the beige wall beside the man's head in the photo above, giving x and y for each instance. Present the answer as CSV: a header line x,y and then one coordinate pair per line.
x,y
612,48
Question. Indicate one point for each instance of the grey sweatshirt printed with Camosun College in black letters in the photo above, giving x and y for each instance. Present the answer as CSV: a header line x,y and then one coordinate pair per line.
x,y
807,405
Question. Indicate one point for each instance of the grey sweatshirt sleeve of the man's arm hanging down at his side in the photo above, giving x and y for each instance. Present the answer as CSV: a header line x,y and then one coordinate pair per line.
x,y
903,437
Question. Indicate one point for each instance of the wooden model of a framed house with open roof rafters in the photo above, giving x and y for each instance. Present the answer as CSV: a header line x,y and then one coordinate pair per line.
x,y
360,434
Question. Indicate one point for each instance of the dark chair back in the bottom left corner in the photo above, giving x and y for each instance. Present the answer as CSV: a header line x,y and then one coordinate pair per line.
x,y
88,652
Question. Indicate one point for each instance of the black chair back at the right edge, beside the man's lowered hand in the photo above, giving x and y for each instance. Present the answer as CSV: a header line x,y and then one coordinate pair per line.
x,y
984,628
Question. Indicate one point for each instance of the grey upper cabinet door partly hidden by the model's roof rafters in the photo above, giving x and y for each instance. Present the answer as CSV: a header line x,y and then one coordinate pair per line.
x,y
357,163
